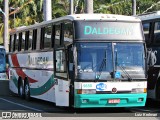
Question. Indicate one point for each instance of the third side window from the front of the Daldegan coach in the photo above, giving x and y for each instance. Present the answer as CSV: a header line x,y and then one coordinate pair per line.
x,y
47,37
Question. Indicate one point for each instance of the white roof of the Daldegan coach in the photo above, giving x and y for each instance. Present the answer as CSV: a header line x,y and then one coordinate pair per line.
x,y
84,17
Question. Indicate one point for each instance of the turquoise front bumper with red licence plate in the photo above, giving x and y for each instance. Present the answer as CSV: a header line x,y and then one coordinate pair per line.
x,y
109,100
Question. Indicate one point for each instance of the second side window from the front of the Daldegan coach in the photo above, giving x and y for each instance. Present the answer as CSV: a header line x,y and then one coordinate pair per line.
x,y
57,35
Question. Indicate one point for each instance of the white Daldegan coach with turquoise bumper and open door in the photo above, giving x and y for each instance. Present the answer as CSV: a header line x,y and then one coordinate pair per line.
x,y
80,61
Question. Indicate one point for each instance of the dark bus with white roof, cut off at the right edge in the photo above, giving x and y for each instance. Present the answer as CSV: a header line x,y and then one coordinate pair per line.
x,y
151,27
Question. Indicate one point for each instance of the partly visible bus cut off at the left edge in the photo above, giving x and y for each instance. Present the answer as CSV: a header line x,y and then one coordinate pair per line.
x,y
3,75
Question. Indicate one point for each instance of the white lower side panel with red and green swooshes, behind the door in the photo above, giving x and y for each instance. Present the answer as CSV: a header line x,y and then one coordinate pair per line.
x,y
38,69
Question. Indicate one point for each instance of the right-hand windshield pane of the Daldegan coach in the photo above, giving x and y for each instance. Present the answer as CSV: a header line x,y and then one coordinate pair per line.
x,y
129,60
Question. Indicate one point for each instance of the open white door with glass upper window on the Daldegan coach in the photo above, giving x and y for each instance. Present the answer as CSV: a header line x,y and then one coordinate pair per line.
x,y
61,78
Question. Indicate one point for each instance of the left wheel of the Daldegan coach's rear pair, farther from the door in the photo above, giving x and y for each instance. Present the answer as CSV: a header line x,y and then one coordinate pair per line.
x,y
20,89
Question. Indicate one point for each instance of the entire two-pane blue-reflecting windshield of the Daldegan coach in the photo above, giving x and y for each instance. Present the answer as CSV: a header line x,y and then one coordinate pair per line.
x,y
95,60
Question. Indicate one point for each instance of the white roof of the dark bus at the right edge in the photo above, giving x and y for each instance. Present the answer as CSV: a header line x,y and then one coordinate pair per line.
x,y
150,15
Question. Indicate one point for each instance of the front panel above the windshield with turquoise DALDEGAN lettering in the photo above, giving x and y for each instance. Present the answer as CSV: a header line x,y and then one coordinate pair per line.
x,y
93,30
